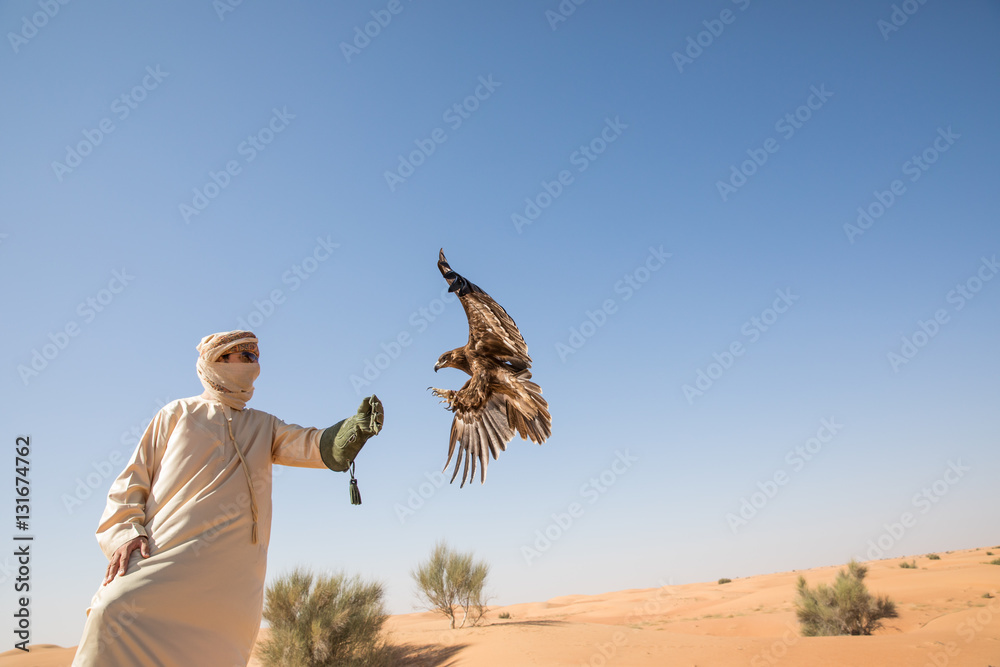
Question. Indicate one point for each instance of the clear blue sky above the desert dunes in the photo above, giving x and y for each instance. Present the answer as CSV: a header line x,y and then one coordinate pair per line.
x,y
752,248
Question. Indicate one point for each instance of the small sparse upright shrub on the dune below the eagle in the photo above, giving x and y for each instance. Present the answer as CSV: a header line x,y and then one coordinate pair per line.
x,y
450,581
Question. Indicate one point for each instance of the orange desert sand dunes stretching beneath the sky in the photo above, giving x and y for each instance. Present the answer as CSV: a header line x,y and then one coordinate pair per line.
x,y
944,619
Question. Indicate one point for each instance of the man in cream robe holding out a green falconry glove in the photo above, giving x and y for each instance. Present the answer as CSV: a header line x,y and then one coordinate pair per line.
x,y
188,521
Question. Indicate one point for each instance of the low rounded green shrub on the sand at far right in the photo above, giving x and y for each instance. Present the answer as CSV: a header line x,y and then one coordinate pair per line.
x,y
846,608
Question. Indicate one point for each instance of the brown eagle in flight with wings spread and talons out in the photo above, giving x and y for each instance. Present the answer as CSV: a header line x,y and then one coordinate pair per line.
x,y
500,397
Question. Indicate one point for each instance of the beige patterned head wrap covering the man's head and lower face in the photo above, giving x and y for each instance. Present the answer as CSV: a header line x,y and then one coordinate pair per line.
x,y
229,384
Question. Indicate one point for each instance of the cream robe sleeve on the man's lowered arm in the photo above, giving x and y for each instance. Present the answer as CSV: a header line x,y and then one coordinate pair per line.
x,y
124,515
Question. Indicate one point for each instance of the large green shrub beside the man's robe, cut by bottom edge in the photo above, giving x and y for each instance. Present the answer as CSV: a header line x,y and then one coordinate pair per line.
x,y
325,621
